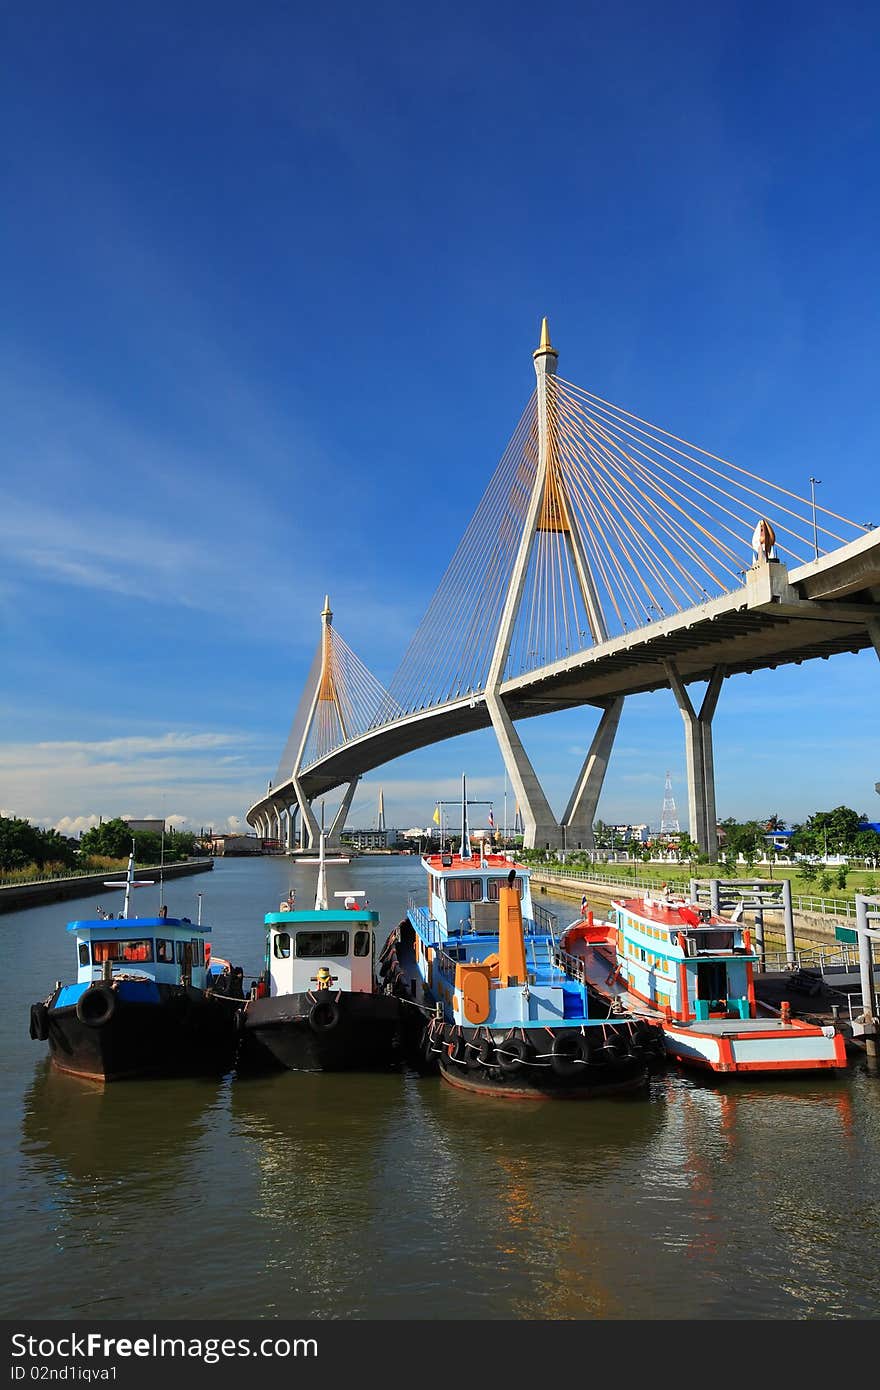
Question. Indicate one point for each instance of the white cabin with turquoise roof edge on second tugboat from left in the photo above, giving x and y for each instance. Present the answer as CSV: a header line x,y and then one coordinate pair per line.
x,y
302,946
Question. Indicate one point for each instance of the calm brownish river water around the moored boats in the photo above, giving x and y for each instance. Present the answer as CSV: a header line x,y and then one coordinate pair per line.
x,y
397,1197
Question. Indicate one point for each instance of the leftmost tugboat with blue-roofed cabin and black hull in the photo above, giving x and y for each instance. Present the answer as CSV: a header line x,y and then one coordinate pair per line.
x,y
140,1006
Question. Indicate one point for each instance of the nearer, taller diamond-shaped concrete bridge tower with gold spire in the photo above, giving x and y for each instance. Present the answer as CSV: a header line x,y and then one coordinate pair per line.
x,y
550,512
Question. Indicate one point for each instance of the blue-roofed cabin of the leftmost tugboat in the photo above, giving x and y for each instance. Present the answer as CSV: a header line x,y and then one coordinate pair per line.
x,y
144,949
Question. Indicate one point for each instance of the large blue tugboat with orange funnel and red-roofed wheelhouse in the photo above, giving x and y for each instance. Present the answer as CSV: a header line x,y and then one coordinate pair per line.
x,y
514,1015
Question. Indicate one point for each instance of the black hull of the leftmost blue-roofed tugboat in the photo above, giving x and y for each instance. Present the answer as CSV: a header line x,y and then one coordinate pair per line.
x,y
156,1032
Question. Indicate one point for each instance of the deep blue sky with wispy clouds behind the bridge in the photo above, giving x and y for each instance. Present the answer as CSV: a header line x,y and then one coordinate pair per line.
x,y
273,277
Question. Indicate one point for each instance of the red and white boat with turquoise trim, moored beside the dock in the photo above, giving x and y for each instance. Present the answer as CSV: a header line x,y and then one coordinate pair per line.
x,y
693,974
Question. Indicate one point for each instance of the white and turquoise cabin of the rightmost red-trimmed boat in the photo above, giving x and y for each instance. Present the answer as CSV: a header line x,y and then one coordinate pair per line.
x,y
685,961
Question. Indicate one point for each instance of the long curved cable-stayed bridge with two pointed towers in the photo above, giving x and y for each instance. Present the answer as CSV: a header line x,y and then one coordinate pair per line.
x,y
608,557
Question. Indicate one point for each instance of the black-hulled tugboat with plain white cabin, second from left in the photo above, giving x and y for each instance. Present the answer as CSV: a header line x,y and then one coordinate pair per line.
x,y
318,1006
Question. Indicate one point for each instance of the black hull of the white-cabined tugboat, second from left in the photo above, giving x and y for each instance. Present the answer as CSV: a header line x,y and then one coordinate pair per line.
x,y
308,1033
